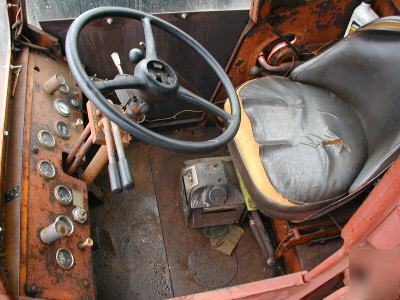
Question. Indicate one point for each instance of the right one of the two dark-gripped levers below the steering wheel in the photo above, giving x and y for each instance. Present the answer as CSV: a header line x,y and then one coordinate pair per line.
x,y
124,169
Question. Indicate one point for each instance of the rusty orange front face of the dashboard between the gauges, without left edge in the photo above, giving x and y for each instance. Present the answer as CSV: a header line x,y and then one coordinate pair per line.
x,y
43,277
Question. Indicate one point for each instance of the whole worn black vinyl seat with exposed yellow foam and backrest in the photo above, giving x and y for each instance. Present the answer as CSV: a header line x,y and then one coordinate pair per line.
x,y
312,142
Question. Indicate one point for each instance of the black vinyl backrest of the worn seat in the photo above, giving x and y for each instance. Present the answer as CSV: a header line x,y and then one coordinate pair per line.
x,y
364,71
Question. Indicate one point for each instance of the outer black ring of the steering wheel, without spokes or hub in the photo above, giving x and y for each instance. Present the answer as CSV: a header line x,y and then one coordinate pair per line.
x,y
138,131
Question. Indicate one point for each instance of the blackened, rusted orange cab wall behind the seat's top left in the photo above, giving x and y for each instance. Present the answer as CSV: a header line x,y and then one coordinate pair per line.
x,y
316,22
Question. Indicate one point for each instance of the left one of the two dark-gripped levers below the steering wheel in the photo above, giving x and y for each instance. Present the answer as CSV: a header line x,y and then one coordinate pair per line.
x,y
113,172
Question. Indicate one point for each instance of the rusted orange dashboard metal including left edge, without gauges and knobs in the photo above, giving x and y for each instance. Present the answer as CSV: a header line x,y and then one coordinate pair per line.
x,y
39,275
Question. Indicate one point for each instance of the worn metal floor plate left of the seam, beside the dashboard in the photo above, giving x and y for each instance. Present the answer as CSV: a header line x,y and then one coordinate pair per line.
x,y
130,261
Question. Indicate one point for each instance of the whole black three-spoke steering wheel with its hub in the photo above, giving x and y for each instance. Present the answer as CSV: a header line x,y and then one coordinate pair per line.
x,y
155,81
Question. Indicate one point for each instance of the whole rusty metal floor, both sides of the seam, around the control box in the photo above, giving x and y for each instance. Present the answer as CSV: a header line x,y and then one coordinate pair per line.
x,y
143,243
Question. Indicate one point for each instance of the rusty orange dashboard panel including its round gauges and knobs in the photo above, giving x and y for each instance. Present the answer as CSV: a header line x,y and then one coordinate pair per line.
x,y
39,194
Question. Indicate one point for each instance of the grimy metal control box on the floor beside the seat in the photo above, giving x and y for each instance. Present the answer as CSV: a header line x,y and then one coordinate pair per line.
x,y
210,191
